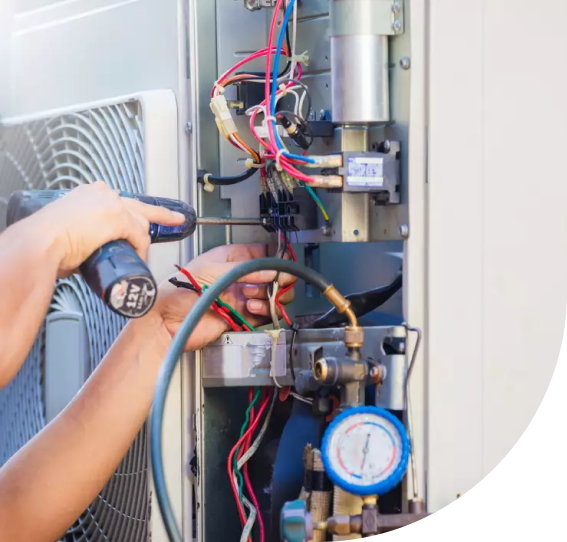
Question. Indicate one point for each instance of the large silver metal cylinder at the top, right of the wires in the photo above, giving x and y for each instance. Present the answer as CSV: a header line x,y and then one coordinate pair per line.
x,y
359,62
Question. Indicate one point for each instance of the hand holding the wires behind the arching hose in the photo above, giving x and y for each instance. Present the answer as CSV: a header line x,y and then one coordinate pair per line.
x,y
249,296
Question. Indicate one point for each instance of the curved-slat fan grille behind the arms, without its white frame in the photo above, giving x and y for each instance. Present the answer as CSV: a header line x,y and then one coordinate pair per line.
x,y
62,152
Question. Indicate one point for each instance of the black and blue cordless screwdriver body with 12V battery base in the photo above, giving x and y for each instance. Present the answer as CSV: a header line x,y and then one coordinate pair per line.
x,y
115,272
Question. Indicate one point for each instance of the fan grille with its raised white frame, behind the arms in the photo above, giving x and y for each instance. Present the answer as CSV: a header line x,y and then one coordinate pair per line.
x,y
131,143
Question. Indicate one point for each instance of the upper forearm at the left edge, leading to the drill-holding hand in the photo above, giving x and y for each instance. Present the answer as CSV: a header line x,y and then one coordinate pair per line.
x,y
29,263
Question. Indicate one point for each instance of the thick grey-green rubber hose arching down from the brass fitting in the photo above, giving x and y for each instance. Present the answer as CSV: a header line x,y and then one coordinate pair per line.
x,y
173,356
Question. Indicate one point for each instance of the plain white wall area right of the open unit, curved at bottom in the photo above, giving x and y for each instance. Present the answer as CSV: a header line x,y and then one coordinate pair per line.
x,y
497,223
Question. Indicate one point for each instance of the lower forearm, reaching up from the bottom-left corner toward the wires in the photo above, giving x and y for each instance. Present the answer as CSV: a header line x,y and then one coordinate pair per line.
x,y
60,472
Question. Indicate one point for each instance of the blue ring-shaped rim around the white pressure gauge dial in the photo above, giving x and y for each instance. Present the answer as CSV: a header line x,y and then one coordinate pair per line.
x,y
384,486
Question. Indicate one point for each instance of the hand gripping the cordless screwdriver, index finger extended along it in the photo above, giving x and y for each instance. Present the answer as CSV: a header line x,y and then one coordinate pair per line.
x,y
91,216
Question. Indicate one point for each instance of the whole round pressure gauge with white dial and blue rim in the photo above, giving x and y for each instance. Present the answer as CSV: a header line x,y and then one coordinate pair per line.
x,y
365,451
